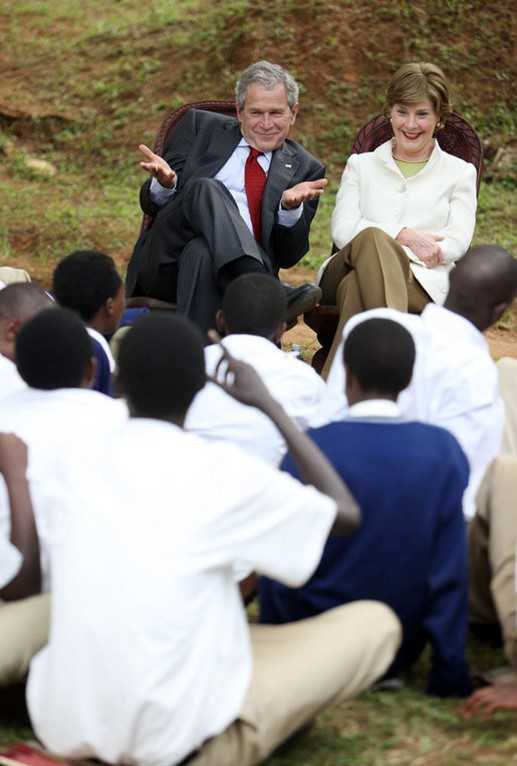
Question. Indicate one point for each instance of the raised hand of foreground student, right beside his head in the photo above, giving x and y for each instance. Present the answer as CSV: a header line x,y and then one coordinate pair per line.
x,y
240,380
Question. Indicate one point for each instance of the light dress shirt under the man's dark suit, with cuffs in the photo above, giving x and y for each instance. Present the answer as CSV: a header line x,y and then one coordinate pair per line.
x,y
232,176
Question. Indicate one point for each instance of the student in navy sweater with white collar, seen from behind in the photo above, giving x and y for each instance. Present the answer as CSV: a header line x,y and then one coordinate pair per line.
x,y
408,478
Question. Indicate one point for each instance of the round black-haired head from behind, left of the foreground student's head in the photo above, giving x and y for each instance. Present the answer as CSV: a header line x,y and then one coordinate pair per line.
x,y
53,350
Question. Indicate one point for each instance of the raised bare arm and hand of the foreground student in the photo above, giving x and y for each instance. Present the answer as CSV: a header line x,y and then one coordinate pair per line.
x,y
242,382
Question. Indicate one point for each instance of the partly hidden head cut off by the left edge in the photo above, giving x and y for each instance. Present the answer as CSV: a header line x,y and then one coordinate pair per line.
x,y
19,302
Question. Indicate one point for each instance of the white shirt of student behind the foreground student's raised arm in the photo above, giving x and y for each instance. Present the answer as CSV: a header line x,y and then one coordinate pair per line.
x,y
299,389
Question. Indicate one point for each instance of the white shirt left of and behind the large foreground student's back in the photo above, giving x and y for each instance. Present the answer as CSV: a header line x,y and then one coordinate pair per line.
x,y
54,425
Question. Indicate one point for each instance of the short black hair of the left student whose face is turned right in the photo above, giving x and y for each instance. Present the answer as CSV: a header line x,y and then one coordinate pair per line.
x,y
84,280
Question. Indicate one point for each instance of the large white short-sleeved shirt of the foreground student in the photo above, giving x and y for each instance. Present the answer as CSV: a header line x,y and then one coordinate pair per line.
x,y
149,650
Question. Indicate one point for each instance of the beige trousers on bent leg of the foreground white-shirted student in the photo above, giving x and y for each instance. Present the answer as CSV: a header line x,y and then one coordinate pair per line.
x,y
298,670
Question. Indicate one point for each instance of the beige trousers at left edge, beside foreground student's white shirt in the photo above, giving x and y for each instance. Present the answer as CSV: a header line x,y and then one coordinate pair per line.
x,y
24,629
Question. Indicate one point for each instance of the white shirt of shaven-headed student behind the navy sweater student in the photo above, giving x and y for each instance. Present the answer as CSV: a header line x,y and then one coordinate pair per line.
x,y
454,385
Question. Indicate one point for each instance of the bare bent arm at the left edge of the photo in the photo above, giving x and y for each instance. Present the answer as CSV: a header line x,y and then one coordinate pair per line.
x,y
13,466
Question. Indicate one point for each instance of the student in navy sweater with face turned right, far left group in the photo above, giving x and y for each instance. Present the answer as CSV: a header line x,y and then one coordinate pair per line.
x,y
88,283
